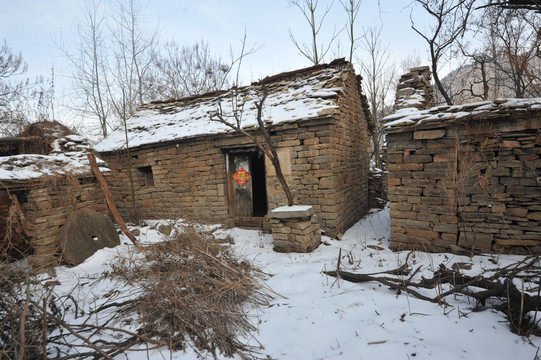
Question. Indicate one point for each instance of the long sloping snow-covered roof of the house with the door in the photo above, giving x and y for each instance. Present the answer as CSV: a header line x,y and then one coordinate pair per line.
x,y
292,96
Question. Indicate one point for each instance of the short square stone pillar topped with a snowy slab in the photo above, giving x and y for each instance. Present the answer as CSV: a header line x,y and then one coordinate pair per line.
x,y
295,229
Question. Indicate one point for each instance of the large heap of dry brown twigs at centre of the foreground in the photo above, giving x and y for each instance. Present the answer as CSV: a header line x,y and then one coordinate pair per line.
x,y
194,288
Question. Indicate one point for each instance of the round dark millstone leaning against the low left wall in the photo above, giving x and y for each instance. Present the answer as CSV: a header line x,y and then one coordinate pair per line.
x,y
84,233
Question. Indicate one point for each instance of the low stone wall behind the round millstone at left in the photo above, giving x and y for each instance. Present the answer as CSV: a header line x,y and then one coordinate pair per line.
x,y
47,206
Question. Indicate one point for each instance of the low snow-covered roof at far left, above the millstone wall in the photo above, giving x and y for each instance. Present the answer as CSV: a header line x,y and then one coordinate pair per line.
x,y
68,156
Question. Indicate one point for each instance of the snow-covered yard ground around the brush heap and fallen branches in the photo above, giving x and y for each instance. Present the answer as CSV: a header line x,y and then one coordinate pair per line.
x,y
317,317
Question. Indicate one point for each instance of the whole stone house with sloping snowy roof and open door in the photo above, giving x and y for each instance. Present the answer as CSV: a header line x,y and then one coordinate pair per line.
x,y
187,165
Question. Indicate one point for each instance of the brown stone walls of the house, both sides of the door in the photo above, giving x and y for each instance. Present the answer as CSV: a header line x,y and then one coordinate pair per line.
x,y
325,162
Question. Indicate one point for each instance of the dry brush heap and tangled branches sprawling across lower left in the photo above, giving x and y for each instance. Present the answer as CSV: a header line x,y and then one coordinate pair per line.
x,y
191,290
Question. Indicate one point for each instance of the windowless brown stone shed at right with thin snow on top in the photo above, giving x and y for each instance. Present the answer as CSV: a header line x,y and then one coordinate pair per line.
x,y
466,176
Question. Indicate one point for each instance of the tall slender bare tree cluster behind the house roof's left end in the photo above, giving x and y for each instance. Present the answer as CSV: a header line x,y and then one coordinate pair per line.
x,y
110,60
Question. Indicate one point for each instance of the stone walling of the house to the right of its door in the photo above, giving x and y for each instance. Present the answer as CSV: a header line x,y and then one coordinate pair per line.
x,y
330,164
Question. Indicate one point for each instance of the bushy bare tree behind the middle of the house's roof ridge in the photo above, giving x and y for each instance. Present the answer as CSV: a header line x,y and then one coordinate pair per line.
x,y
187,70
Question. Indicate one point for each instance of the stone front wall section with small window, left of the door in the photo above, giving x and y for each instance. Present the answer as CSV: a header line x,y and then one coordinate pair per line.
x,y
188,180
